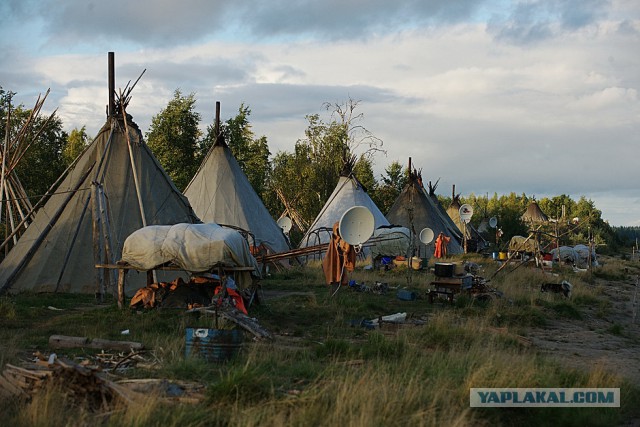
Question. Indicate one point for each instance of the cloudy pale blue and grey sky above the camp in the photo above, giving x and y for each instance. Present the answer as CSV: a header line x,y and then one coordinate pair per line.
x,y
537,97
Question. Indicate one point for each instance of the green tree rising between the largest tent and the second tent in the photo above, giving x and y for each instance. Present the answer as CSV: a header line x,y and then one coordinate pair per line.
x,y
173,137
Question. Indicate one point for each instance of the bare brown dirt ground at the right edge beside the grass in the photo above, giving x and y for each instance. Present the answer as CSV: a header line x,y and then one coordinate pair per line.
x,y
609,338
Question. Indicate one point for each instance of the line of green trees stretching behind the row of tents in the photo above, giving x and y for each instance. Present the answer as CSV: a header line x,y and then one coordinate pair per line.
x,y
302,179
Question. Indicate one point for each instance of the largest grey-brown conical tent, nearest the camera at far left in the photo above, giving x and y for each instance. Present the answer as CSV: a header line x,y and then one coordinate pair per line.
x,y
89,215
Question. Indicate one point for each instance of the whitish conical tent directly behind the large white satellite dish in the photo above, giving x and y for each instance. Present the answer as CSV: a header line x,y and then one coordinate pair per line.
x,y
347,194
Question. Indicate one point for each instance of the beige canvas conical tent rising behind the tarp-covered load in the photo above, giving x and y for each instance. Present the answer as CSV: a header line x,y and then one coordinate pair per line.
x,y
220,192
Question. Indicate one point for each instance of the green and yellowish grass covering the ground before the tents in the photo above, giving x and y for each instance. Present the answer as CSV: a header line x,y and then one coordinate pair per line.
x,y
321,370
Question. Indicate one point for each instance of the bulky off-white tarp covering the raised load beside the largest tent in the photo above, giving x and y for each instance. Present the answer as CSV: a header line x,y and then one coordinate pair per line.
x,y
193,247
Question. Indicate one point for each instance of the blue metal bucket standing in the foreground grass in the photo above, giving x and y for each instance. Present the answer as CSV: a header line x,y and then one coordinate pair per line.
x,y
214,345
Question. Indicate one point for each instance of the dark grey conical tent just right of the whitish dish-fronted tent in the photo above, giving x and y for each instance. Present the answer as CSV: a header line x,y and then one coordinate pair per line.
x,y
415,210
